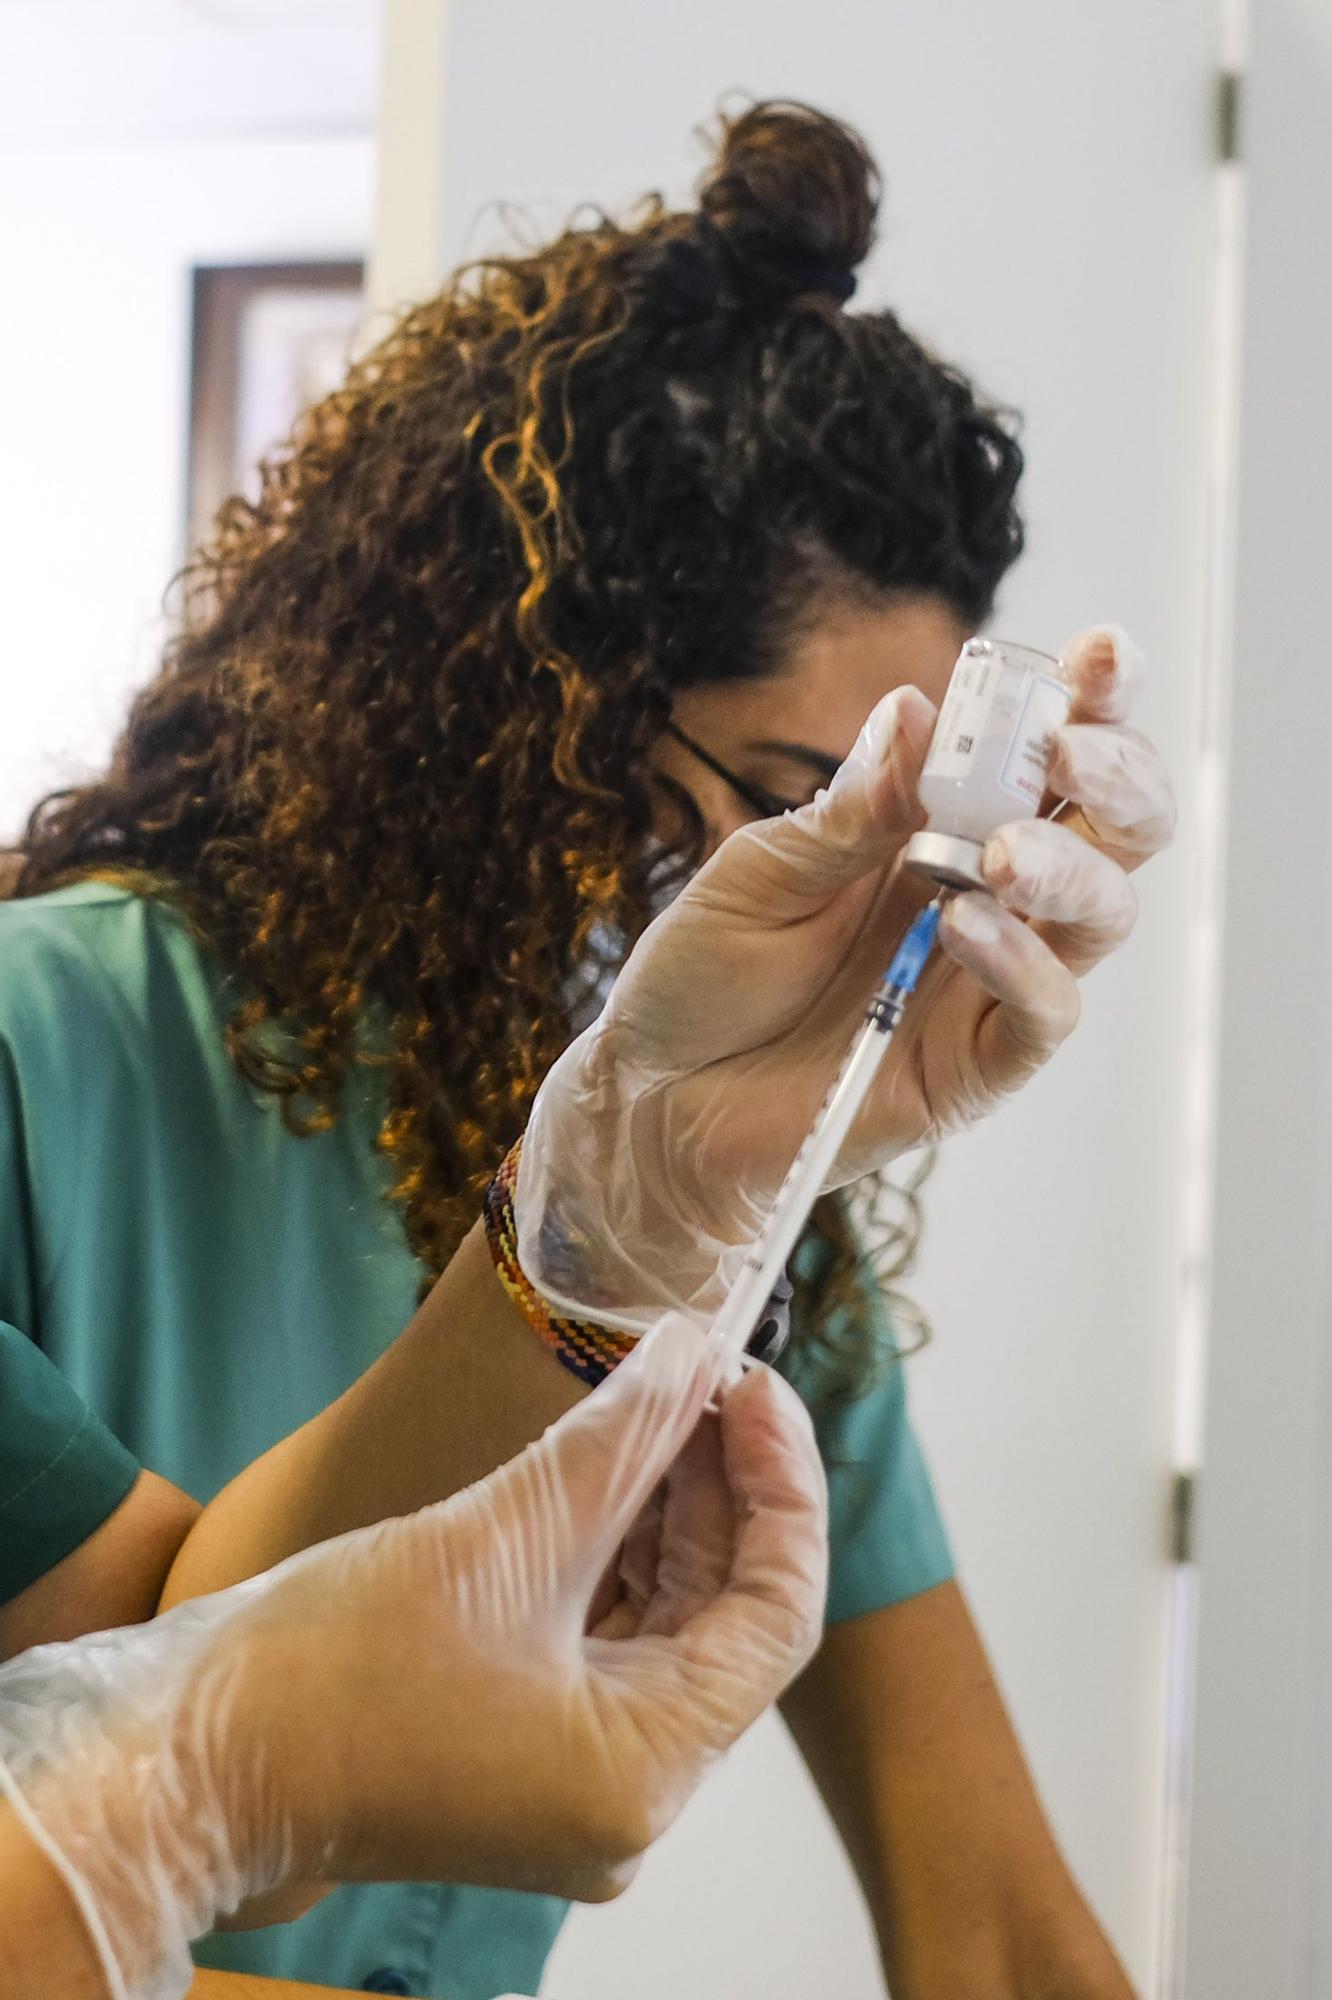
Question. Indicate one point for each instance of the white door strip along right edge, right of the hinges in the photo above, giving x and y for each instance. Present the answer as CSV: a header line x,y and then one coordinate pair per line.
x,y
1259,1917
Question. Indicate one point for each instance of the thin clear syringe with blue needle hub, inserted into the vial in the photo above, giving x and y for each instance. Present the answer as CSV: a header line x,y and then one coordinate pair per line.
x,y
807,1173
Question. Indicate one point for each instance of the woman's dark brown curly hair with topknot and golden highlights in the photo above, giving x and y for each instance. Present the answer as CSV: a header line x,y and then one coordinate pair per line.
x,y
397,763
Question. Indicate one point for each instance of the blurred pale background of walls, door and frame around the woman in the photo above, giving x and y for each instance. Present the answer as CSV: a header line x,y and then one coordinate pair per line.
x,y
1115,217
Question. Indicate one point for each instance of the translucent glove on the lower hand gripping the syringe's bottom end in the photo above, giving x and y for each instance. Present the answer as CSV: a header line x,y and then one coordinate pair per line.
x,y
423,1699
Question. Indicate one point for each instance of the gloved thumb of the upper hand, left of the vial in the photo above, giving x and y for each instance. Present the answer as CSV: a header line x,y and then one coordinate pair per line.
x,y
787,869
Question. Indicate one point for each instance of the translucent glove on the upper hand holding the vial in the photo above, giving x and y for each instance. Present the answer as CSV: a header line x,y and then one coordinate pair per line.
x,y
663,1133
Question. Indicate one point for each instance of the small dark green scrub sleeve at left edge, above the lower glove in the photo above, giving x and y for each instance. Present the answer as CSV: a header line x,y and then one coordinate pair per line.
x,y
61,1471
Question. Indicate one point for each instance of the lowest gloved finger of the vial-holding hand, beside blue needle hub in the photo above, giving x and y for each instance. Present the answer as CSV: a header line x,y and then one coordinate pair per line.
x,y
1037,993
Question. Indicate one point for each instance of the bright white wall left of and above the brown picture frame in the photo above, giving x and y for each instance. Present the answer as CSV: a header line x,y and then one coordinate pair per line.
x,y
95,353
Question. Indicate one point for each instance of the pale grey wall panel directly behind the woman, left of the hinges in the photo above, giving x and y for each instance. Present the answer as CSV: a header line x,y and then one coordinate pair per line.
x,y
1049,225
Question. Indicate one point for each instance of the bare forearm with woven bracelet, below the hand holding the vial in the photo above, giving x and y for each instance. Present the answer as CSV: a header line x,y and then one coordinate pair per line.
x,y
461,1391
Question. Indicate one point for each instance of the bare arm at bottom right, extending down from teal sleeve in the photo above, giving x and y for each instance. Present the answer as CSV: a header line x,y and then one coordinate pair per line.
x,y
909,1741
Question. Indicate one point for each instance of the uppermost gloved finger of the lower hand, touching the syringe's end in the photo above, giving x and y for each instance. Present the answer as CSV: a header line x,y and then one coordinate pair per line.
x,y
571,1499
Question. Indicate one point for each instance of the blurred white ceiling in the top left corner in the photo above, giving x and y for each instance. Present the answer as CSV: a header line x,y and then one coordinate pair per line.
x,y
131,71
